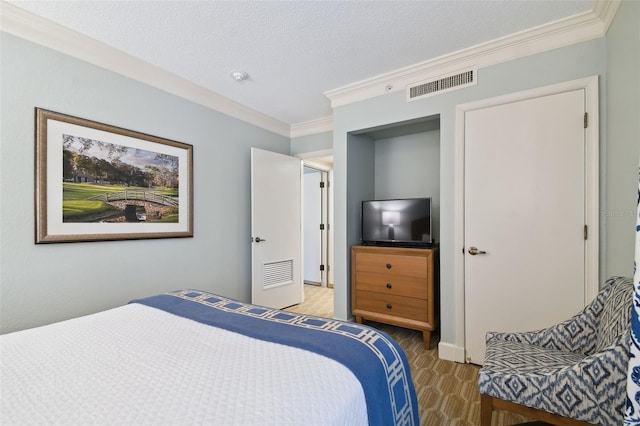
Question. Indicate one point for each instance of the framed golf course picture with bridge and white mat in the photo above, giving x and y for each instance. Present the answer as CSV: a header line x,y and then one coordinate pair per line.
x,y
96,182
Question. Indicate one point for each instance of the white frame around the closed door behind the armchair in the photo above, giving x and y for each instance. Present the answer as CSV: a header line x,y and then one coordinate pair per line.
x,y
590,85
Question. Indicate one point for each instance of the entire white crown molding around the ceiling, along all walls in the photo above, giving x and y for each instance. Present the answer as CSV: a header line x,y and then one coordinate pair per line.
x,y
575,29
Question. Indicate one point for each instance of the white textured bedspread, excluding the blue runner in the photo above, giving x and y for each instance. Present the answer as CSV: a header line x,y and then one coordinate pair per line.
x,y
139,365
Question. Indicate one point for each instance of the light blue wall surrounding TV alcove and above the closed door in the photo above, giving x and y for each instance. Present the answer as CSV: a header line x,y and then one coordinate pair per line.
x,y
569,63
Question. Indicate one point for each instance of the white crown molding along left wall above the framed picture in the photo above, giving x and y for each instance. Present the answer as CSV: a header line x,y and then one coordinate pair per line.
x,y
36,29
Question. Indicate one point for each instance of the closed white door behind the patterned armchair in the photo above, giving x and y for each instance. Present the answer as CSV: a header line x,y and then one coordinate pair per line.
x,y
525,215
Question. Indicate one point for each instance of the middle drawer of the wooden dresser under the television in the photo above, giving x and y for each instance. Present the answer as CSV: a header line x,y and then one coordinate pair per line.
x,y
398,285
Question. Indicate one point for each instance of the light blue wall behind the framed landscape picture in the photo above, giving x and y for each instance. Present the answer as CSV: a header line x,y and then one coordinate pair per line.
x,y
44,283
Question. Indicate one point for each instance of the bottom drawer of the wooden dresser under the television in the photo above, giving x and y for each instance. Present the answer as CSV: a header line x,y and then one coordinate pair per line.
x,y
399,306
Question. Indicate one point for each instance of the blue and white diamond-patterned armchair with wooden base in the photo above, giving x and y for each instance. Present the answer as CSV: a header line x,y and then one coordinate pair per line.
x,y
571,373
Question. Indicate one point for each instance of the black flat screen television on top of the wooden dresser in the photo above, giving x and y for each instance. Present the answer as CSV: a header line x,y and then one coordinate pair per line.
x,y
399,222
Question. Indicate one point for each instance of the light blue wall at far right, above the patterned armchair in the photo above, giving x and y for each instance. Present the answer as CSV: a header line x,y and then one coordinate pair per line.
x,y
623,135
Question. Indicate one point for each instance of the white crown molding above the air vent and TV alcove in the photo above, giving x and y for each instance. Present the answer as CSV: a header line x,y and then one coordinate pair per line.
x,y
574,29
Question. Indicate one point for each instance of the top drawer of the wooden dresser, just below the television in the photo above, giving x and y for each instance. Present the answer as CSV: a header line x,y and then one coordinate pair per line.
x,y
386,264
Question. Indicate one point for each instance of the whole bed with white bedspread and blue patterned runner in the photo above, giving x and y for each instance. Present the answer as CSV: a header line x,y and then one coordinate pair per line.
x,y
193,357
